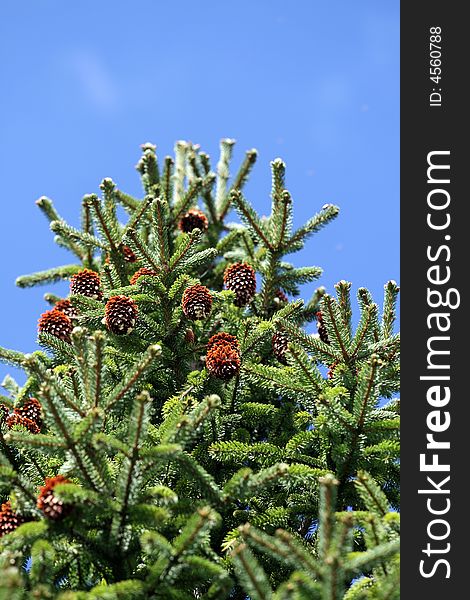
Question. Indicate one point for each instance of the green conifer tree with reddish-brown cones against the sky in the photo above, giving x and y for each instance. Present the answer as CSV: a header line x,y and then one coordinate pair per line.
x,y
185,432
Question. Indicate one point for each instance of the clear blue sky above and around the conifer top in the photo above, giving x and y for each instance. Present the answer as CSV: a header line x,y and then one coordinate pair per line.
x,y
85,83
